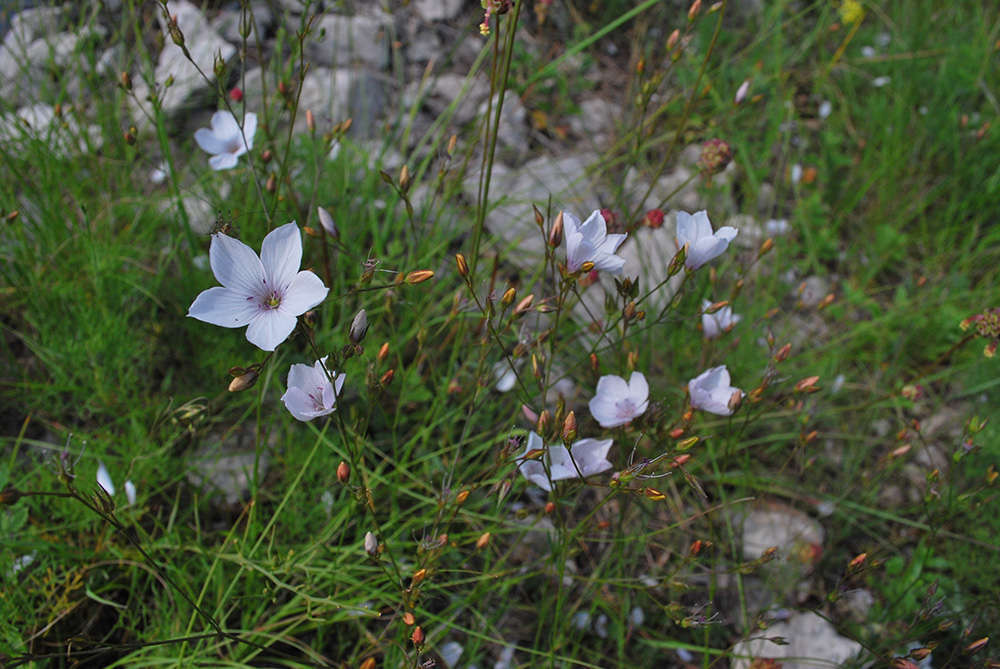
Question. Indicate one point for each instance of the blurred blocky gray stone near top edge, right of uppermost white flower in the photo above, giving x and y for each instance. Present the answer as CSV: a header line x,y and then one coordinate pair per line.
x,y
339,41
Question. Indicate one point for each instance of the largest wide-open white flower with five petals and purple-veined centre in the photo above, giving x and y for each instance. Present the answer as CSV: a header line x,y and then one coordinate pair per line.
x,y
267,293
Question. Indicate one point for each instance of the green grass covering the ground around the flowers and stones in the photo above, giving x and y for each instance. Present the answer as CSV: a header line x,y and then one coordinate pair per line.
x,y
98,271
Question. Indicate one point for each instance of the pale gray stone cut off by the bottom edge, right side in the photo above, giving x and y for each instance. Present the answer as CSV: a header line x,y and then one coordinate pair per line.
x,y
812,643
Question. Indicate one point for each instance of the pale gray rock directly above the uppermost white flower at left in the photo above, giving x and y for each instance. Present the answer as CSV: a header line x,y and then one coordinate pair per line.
x,y
204,45
